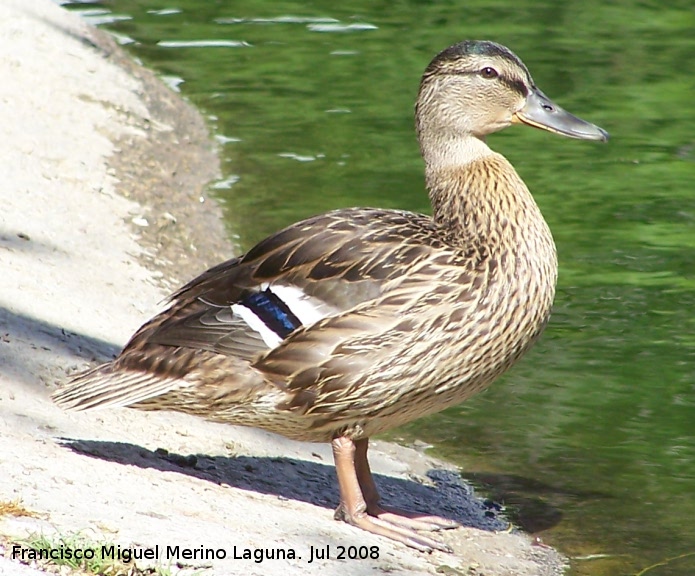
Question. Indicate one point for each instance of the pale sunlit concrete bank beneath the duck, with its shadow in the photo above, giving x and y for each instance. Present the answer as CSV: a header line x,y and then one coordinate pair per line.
x,y
103,213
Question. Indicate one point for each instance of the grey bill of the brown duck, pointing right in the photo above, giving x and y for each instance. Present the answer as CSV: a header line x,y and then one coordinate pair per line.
x,y
541,112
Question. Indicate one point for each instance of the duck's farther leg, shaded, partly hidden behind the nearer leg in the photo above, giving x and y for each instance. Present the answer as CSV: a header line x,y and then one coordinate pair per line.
x,y
405,518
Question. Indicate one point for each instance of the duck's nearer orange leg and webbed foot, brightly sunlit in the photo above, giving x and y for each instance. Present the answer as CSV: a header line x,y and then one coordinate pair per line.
x,y
353,508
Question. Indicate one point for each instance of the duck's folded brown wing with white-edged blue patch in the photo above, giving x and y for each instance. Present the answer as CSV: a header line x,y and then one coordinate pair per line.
x,y
316,269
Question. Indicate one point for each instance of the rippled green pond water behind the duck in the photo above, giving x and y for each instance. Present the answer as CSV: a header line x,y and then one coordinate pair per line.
x,y
590,441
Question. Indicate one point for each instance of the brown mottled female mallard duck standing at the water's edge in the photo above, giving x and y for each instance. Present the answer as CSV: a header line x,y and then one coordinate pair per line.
x,y
354,322
